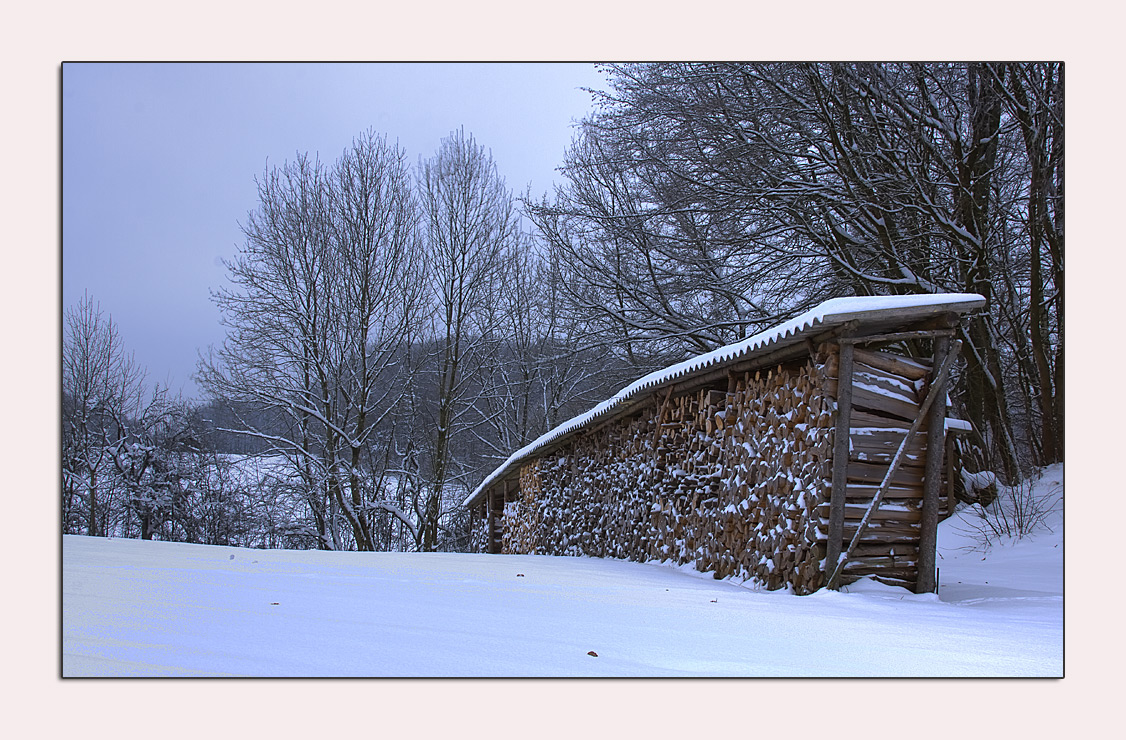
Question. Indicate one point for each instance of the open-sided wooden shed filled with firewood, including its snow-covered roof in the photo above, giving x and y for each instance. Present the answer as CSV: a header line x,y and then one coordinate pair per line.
x,y
734,460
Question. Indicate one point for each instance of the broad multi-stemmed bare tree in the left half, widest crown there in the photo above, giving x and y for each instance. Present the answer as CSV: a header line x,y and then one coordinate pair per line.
x,y
324,292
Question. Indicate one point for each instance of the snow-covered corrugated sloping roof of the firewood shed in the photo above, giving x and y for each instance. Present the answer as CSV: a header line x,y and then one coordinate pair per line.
x,y
887,311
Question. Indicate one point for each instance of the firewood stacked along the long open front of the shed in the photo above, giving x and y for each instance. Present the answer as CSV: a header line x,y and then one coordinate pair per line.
x,y
728,482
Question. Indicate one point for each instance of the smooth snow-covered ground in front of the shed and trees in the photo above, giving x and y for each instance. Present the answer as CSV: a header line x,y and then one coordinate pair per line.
x,y
153,609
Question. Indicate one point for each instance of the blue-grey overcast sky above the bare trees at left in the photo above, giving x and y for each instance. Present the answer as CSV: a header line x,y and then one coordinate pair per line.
x,y
159,166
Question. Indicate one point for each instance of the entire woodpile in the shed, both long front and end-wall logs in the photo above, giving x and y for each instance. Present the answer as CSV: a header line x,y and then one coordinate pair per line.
x,y
737,482
